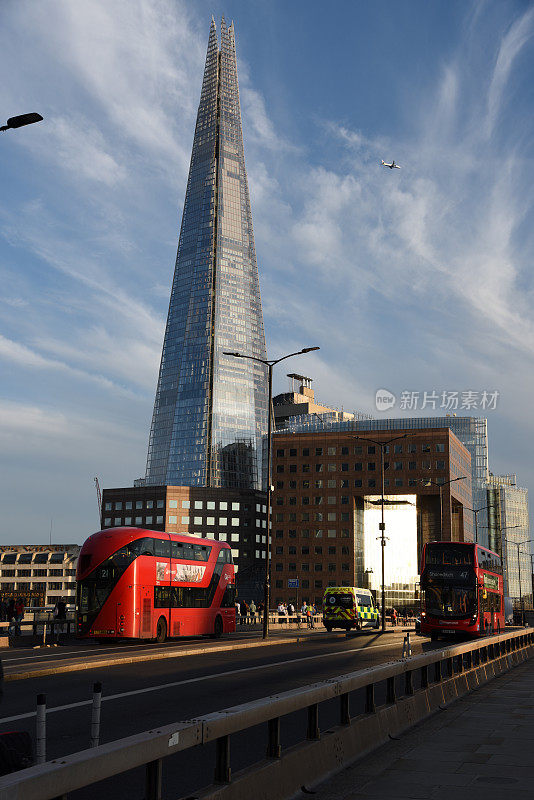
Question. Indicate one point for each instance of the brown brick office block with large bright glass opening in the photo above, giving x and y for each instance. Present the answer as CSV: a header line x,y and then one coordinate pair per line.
x,y
326,509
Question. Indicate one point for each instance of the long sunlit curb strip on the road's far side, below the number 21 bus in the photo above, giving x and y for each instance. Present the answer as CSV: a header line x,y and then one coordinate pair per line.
x,y
133,659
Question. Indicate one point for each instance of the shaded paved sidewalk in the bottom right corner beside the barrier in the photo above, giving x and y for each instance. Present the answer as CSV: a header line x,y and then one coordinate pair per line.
x,y
477,746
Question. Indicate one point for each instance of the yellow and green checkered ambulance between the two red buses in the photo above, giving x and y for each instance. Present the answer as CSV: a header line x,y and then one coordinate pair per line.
x,y
349,607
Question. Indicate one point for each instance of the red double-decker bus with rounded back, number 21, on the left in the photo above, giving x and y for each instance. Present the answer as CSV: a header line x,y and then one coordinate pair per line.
x,y
141,584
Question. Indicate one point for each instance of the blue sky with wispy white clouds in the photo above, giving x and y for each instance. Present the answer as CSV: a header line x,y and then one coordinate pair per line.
x,y
417,279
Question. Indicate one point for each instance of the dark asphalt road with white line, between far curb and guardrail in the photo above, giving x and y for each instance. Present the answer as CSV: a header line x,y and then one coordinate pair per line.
x,y
143,696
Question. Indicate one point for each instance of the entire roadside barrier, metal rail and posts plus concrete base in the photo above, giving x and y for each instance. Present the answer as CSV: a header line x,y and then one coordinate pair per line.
x,y
442,675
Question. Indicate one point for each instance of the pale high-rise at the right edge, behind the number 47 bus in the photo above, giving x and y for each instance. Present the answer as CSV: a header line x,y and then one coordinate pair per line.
x,y
509,535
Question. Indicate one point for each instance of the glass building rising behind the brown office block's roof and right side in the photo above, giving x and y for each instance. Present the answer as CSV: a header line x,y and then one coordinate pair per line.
x,y
471,431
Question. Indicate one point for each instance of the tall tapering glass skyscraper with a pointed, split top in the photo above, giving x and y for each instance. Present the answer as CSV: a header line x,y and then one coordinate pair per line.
x,y
210,411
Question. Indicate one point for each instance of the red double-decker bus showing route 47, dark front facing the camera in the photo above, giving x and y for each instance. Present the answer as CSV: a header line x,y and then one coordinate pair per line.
x,y
462,587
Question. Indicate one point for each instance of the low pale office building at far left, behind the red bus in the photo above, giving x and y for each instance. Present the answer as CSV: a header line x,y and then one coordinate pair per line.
x,y
40,574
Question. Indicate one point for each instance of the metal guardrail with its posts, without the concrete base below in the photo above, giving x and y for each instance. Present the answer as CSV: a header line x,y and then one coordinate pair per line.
x,y
149,749
